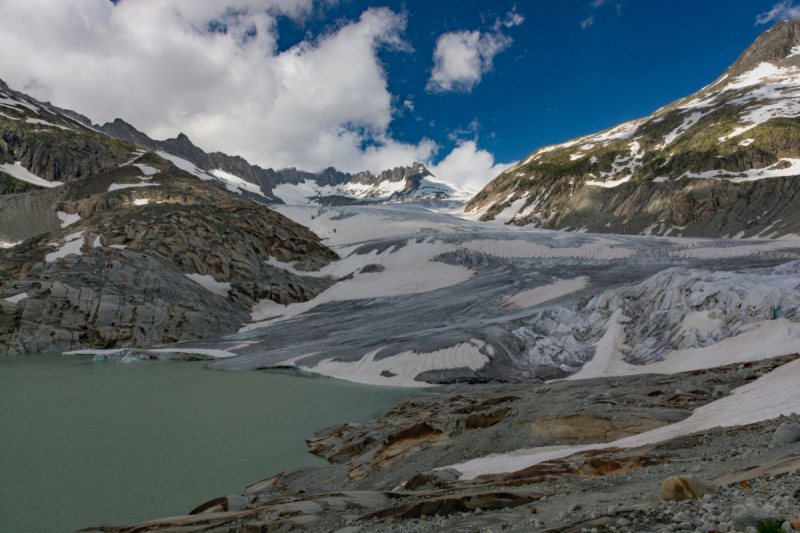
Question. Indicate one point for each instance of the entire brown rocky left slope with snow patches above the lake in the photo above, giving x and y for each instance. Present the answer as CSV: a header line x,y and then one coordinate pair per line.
x,y
106,246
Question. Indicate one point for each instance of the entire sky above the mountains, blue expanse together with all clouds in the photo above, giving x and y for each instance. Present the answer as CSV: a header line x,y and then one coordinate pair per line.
x,y
466,87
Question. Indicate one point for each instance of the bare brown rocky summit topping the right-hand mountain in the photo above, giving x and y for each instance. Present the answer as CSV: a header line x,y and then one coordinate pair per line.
x,y
774,45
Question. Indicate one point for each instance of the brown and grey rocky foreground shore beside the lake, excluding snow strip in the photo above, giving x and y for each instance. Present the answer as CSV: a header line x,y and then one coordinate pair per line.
x,y
399,472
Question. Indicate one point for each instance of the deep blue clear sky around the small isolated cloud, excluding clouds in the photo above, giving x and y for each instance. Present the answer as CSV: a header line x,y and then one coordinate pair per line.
x,y
557,80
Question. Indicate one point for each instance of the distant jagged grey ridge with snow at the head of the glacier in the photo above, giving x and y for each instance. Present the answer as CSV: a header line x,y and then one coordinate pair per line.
x,y
292,186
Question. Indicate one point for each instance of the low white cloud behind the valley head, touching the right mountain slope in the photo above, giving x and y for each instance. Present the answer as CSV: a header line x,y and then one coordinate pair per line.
x,y
469,166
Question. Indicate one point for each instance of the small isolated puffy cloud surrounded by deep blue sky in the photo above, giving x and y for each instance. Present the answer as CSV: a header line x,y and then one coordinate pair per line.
x,y
461,58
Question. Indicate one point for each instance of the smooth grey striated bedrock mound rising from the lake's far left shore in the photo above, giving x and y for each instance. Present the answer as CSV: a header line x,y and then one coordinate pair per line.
x,y
109,298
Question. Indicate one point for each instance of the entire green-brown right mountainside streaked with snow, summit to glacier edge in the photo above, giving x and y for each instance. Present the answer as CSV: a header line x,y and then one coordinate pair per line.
x,y
721,162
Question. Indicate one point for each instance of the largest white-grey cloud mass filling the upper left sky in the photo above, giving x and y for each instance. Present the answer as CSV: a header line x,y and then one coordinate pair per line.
x,y
212,69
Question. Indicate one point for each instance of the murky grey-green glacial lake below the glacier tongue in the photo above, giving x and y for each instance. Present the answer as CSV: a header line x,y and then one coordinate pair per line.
x,y
85,444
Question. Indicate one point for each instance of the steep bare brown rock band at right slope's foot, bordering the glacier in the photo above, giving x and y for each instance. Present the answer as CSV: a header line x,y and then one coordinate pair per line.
x,y
691,208
